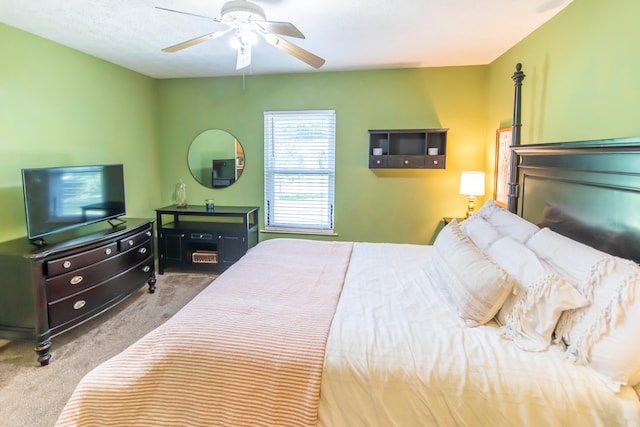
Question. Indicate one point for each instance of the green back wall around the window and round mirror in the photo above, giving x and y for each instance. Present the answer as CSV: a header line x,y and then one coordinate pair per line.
x,y
390,205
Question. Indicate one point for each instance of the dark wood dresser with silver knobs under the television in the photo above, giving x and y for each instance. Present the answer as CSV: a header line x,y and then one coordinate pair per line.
x,y
47,290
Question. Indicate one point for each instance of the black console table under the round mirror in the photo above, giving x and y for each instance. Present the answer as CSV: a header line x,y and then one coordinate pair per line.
x,y
197,238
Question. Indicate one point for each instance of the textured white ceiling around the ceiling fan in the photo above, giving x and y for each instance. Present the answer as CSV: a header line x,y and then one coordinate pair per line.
x,y
349,34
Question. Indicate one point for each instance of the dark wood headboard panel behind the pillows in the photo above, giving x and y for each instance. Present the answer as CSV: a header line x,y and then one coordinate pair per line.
x,y
588,190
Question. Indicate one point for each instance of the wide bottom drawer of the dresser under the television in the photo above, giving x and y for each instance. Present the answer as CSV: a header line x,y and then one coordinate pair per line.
x,y
80,306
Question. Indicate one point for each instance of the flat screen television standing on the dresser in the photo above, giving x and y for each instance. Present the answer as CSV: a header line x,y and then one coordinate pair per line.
x,y
62,198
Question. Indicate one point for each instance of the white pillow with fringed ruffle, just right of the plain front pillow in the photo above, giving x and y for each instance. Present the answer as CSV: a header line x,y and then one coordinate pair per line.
x,y
530,313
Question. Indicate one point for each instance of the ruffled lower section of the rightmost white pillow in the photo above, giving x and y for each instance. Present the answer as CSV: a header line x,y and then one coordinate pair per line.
x,y
606,334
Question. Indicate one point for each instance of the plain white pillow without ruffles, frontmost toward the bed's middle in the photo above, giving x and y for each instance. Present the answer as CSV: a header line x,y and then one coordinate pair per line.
x,y
474,286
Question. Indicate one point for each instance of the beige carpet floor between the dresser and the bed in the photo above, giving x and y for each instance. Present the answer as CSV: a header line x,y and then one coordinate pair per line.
x,y
31,395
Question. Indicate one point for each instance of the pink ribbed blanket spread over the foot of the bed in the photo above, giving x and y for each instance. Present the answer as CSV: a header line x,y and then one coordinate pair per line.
x,y
248,350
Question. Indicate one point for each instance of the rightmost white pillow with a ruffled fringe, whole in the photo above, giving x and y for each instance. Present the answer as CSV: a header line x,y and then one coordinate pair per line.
x,y
604,334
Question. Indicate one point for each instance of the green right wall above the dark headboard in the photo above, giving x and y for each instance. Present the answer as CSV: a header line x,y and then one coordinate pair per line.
x,y
581,75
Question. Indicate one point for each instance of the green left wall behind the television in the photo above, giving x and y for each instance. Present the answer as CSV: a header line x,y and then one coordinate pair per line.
x,y
61,107
